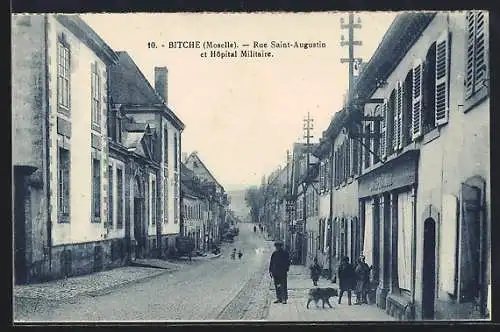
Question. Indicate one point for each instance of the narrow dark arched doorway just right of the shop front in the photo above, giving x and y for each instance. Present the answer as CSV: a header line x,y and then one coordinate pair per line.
x,y
429,269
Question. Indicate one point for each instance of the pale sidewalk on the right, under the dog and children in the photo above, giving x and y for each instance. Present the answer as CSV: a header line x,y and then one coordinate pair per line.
x,y
299,284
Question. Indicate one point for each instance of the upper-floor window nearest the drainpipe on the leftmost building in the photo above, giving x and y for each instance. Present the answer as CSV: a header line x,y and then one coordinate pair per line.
x,y
63,74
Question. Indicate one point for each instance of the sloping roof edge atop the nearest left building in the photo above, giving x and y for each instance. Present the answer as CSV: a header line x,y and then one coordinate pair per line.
x,y
85,33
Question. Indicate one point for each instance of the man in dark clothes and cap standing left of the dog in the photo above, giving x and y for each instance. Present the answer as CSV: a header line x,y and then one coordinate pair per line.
x,y
278,269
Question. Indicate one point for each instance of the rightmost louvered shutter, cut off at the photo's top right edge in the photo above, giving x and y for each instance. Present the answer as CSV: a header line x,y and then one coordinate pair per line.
x,y
480,51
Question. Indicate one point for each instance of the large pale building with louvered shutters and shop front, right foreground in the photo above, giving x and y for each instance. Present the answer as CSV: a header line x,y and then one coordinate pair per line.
x,y
420,110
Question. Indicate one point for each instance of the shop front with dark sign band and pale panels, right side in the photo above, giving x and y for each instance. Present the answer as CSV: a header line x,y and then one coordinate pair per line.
x,y
387,198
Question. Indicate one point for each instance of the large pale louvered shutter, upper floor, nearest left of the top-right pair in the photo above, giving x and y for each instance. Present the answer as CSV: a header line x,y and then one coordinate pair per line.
x,y
442,74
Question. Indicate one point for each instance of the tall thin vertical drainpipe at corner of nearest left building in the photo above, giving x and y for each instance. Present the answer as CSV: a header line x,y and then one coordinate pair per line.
x,y
47,140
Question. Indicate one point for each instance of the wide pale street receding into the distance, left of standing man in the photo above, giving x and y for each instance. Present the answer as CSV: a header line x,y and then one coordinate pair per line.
x,y
215,289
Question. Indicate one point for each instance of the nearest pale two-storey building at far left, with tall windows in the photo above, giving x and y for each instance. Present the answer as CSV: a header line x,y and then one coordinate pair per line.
x,y
60,142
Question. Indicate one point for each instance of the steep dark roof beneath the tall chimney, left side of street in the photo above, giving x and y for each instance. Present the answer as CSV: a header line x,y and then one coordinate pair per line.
x,y
128,86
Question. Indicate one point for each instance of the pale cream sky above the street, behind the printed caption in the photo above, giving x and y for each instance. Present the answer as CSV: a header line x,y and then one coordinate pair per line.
x,y
242,114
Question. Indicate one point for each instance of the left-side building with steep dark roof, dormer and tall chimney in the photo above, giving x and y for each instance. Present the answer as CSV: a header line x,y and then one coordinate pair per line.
x,y
149,133
